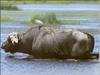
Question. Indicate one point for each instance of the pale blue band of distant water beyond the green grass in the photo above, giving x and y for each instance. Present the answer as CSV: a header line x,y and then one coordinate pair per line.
x,y
62,7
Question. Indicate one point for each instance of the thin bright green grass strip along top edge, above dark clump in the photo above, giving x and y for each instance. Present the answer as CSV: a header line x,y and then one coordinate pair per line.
x,y
14,2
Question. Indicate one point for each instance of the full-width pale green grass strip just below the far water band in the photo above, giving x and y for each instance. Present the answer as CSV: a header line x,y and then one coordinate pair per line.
x,y
30,14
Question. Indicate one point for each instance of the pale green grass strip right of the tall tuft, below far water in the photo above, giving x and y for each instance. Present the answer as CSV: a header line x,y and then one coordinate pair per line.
x,y
79,14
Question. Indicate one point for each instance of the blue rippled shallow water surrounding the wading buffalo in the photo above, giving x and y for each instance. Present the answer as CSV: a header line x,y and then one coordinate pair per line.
x,y
17,65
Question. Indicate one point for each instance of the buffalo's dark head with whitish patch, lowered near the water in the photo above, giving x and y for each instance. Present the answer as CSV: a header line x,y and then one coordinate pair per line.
x,y
10,45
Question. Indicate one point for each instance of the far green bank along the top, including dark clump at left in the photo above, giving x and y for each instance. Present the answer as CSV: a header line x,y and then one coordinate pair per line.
x,y
11,4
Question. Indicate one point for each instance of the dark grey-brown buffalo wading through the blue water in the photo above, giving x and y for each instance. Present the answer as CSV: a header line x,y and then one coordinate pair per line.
x,y
50,42
